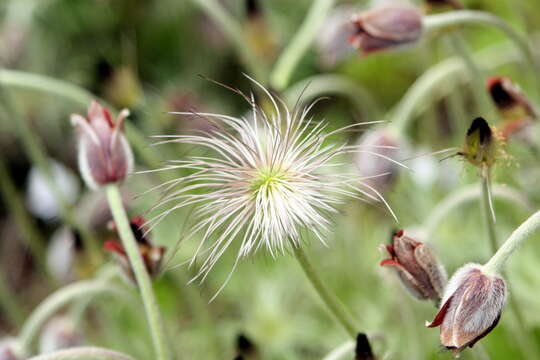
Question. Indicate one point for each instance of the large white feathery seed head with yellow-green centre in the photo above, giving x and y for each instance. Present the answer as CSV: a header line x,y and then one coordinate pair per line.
x,y
269,177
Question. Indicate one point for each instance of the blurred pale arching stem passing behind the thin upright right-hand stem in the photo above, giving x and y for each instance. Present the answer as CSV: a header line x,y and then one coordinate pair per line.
x,y
466,195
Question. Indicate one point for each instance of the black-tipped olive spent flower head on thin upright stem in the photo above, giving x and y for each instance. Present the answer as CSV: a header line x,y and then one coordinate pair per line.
x,y
480,144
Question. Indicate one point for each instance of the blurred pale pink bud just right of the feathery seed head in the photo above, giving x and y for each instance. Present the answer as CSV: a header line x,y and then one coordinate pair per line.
x,y
376,171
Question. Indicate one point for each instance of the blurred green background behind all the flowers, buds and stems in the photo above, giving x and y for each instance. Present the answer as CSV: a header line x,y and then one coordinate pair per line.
x,y
159,56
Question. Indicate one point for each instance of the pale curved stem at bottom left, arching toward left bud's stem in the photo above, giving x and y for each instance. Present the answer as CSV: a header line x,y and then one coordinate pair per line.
x,y
56,301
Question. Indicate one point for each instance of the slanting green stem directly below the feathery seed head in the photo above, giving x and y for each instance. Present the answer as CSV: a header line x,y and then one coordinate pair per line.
x,y
330,300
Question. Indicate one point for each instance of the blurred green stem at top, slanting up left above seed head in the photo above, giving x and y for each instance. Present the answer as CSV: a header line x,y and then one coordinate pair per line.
x,y
234,32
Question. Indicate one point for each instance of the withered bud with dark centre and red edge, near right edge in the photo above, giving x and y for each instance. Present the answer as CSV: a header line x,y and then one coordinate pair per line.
x,y
513,105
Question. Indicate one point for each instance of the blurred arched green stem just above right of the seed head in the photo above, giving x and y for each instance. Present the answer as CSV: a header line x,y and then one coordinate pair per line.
x,y
320,85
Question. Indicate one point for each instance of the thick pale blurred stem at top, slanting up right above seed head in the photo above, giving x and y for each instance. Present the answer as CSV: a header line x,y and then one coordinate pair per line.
x,y
281,75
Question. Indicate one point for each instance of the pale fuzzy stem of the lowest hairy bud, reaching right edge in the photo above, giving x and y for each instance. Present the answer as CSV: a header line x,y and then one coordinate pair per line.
x,y
499,259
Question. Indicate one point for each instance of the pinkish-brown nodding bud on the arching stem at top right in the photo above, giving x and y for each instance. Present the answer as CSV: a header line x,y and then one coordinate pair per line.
x,y
386,27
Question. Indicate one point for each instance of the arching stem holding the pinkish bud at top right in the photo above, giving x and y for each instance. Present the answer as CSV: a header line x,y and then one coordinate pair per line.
x,y
463,17
